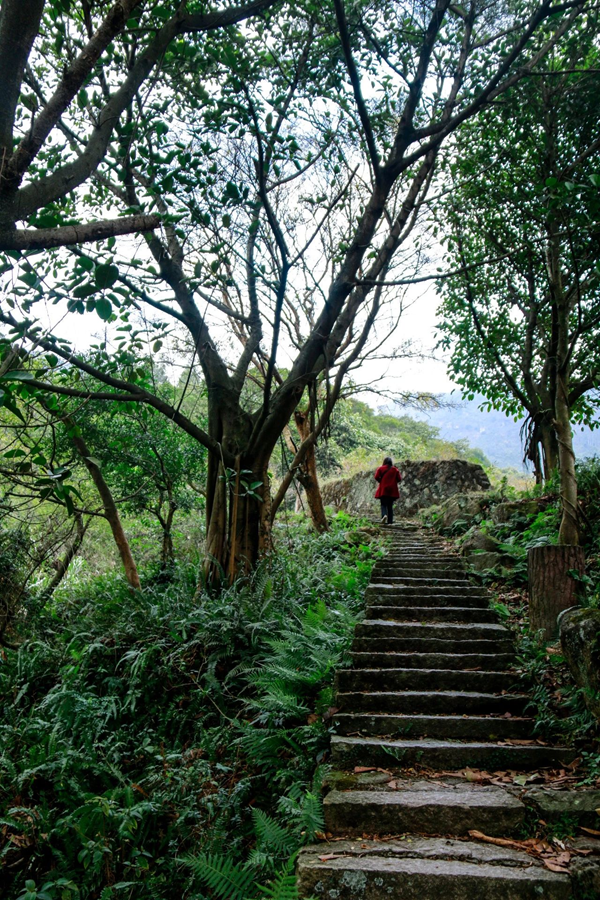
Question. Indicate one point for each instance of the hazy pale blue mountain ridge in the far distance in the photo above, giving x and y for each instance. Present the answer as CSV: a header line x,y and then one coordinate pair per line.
x,y
497,435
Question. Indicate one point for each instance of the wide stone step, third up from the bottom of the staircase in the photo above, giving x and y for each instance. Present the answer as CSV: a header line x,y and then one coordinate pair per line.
x,y
347,752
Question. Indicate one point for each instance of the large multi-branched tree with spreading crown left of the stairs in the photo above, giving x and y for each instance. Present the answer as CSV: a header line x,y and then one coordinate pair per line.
x,y
289,188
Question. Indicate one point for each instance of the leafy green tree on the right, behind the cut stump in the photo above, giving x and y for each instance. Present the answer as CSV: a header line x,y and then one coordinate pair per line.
x,y
521,314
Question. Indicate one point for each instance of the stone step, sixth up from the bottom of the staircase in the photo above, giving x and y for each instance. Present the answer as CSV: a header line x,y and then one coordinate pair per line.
x,y
347,680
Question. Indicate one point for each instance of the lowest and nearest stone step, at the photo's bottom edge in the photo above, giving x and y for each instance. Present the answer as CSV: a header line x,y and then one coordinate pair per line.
x,y
423,869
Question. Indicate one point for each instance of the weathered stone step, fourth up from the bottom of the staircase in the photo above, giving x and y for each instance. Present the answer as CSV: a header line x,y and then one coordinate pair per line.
x,y
457,727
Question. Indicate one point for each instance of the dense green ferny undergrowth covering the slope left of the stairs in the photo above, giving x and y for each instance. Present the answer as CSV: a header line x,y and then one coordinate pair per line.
x,y
158,745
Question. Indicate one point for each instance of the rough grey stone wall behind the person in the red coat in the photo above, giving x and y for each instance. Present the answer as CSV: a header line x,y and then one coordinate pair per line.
x,y
423,484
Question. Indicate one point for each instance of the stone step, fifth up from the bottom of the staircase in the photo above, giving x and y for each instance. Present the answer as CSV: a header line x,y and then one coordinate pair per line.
x,y
462,703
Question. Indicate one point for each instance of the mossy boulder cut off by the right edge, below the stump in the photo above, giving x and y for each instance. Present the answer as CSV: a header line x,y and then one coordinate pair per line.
x,y
580,641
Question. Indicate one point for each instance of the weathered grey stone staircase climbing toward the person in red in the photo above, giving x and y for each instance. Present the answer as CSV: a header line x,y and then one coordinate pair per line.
x,y
431,686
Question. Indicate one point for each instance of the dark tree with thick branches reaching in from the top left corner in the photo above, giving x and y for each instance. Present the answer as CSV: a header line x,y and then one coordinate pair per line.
x,y
39,91
